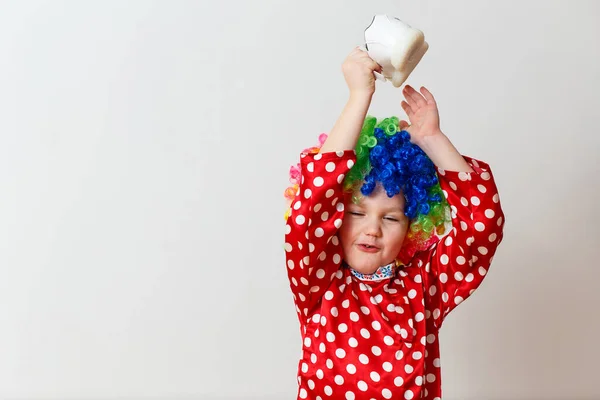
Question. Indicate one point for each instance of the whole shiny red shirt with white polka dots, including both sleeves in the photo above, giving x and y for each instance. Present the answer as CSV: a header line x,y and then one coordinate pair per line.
x,y
365,339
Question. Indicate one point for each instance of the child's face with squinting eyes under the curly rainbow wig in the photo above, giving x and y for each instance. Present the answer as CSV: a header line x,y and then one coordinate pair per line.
x,y
377,220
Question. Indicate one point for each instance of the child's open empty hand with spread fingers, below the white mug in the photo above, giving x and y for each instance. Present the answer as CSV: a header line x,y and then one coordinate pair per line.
x,y
422,112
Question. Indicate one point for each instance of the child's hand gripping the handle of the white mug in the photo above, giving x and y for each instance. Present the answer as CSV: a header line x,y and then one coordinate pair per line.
x,y
358,71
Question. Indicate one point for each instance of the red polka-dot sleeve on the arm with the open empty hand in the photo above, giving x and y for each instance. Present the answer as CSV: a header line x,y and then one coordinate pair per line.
x,y
454,267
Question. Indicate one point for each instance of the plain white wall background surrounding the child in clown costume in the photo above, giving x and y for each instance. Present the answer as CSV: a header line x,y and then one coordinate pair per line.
x,y
144,151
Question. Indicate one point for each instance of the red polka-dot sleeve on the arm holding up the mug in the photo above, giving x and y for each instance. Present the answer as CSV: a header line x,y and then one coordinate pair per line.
x,y
312,248
